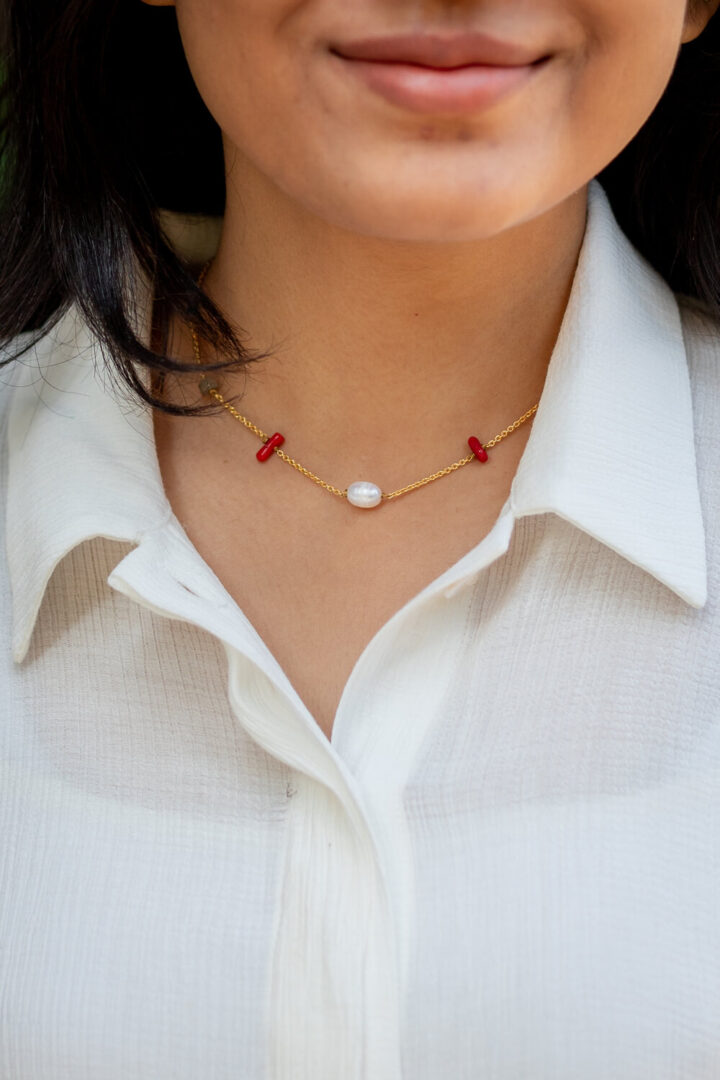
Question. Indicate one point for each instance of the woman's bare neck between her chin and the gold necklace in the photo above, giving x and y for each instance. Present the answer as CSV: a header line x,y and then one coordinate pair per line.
x,y
371,340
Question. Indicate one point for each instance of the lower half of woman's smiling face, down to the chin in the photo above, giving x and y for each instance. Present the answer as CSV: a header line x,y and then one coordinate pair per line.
x,y
431,120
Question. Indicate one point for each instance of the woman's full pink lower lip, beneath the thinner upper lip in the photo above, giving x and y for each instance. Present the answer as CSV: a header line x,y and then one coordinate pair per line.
x,y
454,91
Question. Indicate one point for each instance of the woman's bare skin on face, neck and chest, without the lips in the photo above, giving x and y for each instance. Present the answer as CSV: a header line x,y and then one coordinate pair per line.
x,y
406,272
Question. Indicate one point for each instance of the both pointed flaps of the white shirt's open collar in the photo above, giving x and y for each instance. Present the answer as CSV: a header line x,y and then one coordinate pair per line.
x,y
612,449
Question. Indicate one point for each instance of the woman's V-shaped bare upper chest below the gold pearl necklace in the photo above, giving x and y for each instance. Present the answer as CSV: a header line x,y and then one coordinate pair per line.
x,y
317,577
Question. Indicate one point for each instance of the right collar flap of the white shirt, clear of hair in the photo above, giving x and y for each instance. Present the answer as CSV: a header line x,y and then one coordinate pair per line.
x,y
613,448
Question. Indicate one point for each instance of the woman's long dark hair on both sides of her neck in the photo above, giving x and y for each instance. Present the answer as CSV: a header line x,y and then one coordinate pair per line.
x,y
102,126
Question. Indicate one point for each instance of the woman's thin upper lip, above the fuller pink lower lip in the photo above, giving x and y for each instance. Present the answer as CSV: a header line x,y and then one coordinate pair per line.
x,y
440,51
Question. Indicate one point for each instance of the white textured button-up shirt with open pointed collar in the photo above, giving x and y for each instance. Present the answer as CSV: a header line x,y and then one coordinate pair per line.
x,y
505,866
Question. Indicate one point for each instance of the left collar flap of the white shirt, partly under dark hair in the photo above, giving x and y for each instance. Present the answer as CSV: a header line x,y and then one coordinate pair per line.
x,y
81,463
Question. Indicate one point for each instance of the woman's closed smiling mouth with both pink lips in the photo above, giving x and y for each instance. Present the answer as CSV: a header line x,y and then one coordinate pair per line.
x,y
432,74
